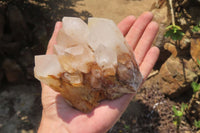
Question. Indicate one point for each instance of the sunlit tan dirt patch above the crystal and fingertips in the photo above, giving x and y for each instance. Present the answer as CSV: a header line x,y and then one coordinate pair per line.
x,y
114,9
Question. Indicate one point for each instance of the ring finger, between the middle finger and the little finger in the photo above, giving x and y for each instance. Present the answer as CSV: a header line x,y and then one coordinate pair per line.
x,y
146,41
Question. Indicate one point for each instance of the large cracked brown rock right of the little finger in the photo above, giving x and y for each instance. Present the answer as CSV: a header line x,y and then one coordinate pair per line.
x,y
175,76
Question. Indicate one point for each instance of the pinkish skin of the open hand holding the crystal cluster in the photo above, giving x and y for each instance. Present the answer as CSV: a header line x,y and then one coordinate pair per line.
x,y
59,117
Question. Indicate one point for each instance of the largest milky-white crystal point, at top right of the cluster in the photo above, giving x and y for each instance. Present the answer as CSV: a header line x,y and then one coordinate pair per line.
x,y
104,32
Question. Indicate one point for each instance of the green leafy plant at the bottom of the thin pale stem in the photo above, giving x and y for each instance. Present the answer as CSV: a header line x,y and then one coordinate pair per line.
x,y
174,32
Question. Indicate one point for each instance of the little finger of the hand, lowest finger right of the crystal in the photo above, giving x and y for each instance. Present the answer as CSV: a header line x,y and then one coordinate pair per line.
x,y
149,61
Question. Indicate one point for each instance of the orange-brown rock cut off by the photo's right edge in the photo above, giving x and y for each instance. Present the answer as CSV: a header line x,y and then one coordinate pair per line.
x,y
195,49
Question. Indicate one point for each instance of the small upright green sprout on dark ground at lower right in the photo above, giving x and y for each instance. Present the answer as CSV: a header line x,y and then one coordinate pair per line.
x,y
178,114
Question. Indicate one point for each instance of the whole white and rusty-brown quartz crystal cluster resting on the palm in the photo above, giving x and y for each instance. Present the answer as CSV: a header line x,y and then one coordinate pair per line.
x,y
90,63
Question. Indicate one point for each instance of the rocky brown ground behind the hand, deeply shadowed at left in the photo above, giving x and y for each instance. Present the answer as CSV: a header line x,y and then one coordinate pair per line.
x,y
26,26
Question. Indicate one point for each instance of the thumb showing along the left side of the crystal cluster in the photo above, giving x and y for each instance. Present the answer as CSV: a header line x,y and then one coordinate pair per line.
x,y
52,41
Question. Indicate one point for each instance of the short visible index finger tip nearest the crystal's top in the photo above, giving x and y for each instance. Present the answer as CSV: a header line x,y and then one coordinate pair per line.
x,y
126,24
